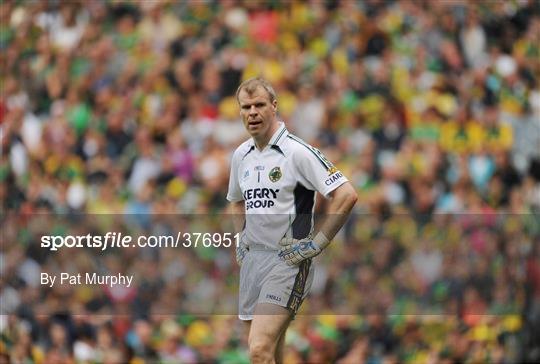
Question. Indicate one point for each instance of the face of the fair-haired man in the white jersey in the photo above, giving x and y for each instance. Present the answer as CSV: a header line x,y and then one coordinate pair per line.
x,y
258,113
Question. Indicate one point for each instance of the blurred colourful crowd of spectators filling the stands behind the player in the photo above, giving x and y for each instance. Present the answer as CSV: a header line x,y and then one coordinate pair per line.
x,y
125,108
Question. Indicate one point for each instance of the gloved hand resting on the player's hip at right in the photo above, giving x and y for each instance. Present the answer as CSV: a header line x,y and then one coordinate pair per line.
x,y
293,251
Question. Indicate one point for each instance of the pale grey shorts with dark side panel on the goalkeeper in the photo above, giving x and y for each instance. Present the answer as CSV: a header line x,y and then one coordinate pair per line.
x,y
264,278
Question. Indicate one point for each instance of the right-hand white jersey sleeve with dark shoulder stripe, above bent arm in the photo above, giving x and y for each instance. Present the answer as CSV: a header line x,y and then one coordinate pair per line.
x,y
316,172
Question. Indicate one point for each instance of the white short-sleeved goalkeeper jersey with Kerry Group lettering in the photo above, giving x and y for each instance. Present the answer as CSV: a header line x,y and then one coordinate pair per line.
x,y
278,186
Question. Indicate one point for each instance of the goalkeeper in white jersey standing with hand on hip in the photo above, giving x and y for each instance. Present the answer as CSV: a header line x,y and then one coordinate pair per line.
x,y
273,183
